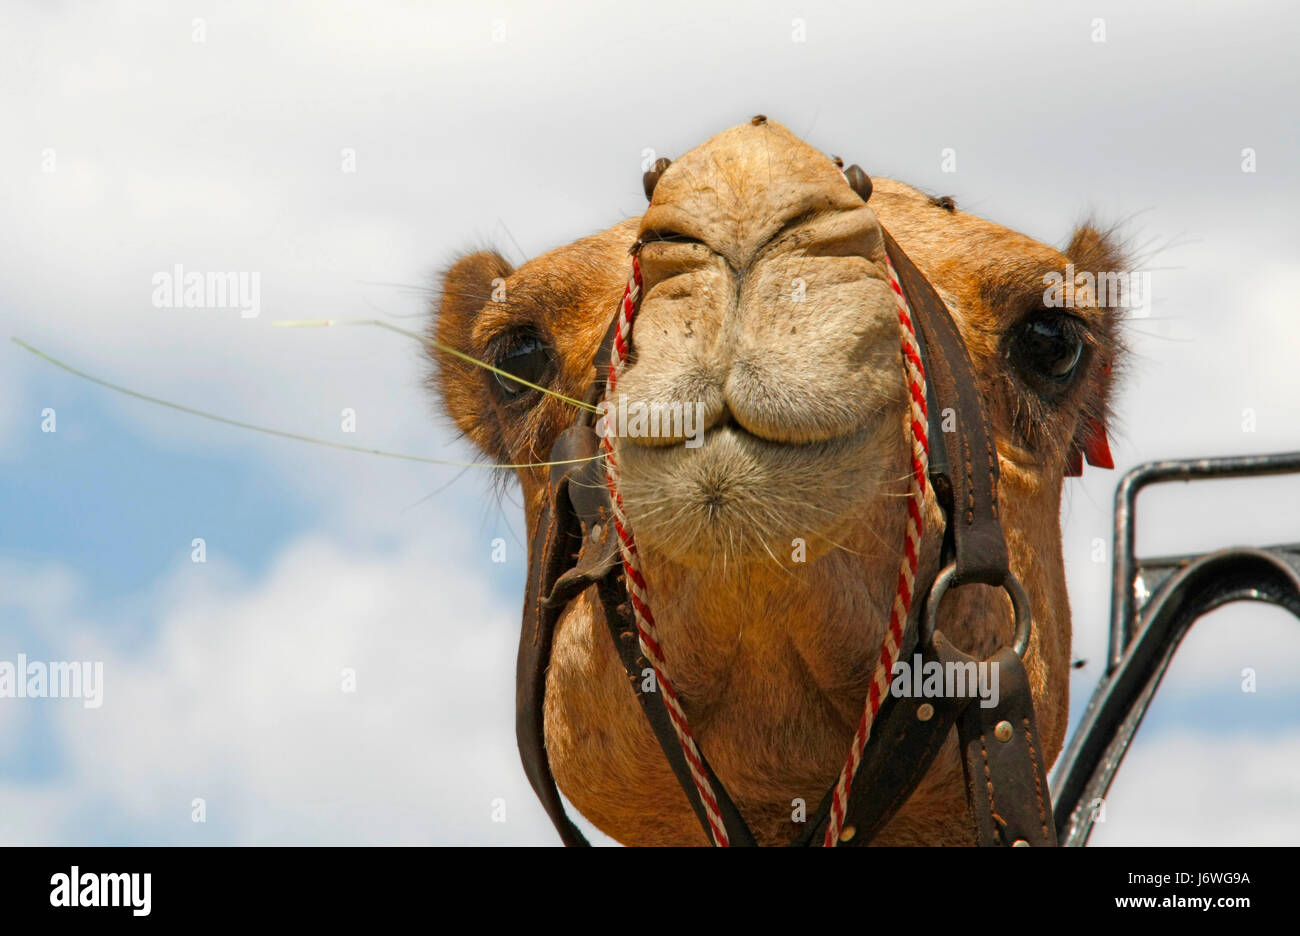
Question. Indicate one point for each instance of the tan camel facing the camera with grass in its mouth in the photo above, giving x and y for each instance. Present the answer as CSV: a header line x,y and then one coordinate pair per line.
x,y
772,549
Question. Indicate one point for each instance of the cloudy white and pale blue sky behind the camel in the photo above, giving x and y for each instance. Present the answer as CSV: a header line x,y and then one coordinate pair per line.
x,y
349,153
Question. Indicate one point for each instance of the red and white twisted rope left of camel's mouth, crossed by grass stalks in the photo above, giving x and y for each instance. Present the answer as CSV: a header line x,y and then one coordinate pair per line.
x,y
638,591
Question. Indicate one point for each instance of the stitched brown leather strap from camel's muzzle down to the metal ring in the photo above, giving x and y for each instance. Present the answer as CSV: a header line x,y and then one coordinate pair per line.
x,y
965,473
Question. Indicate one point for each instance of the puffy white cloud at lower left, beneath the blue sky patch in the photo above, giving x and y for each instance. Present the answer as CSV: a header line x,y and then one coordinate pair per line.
x,y
237,699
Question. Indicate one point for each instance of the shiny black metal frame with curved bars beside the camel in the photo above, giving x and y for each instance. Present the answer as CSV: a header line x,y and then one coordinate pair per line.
x,y
1154,605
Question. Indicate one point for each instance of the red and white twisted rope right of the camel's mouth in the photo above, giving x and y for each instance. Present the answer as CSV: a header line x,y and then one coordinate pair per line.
x,y
915,375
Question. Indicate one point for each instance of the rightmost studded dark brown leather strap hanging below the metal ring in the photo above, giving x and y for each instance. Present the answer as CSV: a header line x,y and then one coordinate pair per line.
x,y
1007,783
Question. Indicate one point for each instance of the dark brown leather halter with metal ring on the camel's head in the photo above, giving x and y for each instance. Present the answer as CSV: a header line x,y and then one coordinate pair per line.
x,y
575,548
